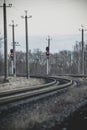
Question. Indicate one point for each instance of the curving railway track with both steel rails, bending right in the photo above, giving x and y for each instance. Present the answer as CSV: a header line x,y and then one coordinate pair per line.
x,y
54,84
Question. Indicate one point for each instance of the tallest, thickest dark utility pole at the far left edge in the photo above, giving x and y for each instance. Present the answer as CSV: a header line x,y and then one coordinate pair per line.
x,y
5,40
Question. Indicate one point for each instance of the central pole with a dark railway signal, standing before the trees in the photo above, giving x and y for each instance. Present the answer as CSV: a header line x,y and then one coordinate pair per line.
x,y
48,53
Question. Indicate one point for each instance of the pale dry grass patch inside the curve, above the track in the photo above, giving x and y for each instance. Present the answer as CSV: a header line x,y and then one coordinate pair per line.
x,y
18,82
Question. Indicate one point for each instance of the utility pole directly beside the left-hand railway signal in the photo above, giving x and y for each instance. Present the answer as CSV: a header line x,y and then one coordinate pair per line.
x,y
14,53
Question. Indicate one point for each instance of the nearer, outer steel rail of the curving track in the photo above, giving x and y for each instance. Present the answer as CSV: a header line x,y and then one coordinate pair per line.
x,y
36,92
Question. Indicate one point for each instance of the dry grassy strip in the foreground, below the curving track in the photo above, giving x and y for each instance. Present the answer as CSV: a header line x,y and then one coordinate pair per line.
x,y
45,110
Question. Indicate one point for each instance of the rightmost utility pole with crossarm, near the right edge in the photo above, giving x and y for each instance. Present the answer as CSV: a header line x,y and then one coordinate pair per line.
x,y
82,33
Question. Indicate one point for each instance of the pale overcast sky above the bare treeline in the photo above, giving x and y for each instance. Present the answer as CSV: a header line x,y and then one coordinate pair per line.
x,y
60,19
